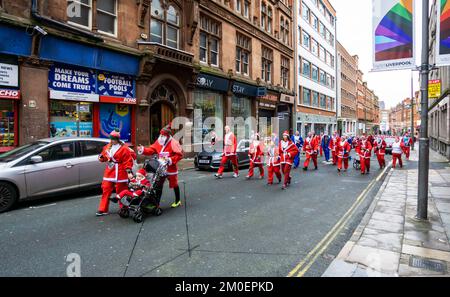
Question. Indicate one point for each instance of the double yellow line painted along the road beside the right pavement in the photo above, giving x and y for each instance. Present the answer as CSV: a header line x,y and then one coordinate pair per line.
x,y
312,256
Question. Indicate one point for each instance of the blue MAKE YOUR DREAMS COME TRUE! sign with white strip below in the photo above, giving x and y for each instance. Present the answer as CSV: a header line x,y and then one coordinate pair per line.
x,y
76,84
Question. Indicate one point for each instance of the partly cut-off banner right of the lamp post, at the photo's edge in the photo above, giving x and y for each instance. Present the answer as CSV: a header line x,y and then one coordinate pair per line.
x,y
443,33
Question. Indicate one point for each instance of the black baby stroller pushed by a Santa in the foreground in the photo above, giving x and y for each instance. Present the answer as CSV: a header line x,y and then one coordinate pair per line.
x,y
148,201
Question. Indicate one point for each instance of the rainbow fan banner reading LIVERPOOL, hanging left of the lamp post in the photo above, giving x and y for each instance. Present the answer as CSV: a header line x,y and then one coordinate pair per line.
x,y
393,35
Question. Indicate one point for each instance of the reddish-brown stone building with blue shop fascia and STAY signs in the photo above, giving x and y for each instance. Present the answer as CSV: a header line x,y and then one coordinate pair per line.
x,y
137,65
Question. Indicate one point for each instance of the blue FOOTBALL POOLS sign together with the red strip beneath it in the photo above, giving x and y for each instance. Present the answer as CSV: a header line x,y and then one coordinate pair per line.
x,y
116,88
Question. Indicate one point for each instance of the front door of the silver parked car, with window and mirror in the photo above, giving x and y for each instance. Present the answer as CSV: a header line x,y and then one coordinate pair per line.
x,y
57,172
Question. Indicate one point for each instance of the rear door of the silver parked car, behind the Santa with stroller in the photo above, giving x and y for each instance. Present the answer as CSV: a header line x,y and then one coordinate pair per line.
x,y
91,170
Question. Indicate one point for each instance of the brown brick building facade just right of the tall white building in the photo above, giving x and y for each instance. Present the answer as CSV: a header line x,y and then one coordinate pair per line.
x,y
347,91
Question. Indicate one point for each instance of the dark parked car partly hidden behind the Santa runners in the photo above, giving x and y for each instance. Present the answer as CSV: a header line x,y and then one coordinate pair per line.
x,y
210,158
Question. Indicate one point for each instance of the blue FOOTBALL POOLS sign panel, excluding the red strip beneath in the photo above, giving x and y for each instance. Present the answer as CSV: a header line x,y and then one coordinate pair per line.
x,y
115,85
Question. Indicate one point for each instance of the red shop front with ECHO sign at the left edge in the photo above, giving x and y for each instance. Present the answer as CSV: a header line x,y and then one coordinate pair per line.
x,y
9,98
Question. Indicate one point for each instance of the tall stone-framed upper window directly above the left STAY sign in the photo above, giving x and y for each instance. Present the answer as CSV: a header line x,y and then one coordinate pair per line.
x,y
209,41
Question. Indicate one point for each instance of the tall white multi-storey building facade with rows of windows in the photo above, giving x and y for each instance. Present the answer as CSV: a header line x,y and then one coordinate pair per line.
x,y
317,68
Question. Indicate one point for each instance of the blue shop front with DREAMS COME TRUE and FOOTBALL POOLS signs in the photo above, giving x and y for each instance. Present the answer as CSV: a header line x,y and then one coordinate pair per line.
x,y
90,103
